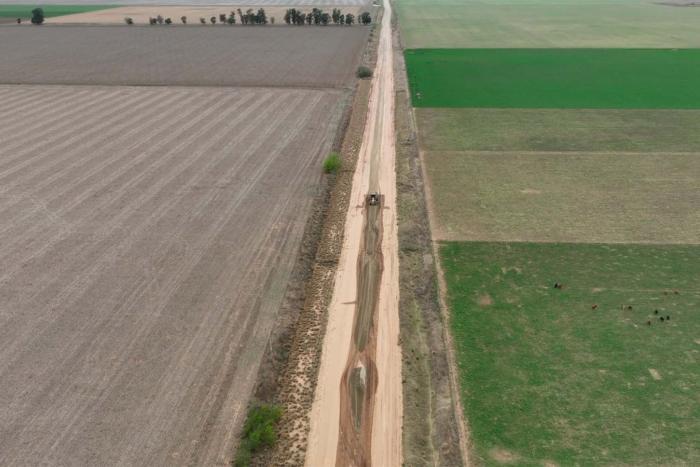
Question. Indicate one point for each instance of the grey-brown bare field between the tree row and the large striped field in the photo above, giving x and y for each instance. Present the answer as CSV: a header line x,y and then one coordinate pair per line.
x,y
192,56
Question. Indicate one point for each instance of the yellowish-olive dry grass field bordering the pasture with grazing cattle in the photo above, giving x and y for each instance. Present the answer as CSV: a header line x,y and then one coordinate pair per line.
x,y
566,197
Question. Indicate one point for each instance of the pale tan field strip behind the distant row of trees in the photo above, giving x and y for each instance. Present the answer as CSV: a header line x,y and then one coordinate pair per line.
x,y
141,14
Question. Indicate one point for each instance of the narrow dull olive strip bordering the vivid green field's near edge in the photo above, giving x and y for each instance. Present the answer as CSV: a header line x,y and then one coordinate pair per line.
x,y
604,130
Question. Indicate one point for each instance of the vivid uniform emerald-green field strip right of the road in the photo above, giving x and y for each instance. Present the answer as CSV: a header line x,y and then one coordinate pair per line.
x,y
555,78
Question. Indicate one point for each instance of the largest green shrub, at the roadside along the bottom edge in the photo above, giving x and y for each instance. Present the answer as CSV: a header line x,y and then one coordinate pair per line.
x,y
259,432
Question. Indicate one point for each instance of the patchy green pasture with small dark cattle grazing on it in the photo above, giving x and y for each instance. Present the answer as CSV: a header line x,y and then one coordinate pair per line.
x,y
547,378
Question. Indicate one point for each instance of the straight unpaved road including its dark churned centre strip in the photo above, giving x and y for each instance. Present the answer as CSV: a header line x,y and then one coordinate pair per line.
x,y
357,415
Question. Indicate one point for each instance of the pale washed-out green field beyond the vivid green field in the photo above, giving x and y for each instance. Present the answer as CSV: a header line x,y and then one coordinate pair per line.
x,y
544,23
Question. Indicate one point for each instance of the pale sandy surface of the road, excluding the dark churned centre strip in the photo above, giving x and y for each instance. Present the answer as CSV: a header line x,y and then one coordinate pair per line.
x,y
375,171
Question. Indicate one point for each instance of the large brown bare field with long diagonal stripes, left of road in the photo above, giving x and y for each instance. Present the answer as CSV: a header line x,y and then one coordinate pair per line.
x,y
147,239
